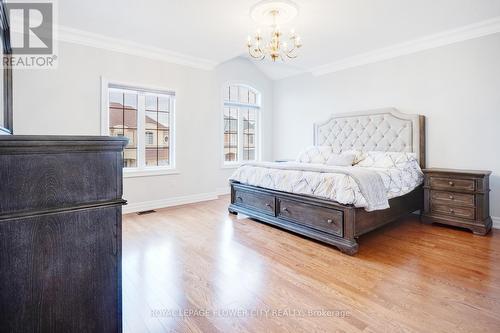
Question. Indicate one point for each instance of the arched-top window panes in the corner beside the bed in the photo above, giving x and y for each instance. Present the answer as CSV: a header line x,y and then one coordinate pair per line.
x,y
241,114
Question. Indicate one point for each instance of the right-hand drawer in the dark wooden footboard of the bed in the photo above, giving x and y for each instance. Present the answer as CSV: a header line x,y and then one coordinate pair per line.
x,y
320,218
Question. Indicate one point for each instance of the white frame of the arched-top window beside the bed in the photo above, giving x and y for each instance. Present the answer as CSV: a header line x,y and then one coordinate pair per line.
x,y
258,134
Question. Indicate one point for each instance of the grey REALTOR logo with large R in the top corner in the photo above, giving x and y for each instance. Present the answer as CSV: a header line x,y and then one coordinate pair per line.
x,y
31,34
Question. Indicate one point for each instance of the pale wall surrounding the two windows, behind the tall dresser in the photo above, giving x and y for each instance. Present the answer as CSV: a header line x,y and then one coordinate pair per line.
x,y
67,101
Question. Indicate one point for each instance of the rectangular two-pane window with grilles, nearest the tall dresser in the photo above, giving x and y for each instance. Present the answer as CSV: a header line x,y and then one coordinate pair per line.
x,y
132,111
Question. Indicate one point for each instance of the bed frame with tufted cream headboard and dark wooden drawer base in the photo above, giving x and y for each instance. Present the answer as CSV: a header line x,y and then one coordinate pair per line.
x,y
326,219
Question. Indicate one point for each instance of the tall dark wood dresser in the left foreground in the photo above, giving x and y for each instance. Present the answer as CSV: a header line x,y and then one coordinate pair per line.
x,y
60,234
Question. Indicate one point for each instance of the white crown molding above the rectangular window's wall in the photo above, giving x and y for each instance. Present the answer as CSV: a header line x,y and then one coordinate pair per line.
x,y
99,41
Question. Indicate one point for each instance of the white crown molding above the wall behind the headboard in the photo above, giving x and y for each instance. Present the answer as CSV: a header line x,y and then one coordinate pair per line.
x,y
467,32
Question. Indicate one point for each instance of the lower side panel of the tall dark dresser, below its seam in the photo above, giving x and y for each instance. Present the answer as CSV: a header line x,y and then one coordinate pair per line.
x,y
59,272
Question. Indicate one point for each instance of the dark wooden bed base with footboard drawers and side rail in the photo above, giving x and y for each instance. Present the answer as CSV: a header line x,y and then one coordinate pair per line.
x,y
323,220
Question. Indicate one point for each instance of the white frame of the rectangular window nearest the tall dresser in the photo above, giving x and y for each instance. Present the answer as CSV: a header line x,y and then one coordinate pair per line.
x,y
141,169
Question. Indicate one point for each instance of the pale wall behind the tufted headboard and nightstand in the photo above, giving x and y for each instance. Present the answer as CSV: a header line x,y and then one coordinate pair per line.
x,y
457,87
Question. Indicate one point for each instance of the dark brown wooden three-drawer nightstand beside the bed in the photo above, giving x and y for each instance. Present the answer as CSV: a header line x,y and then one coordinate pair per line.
x,y
457,197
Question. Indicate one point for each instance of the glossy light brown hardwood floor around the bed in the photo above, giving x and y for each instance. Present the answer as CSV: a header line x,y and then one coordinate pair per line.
x,y
230,274
